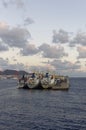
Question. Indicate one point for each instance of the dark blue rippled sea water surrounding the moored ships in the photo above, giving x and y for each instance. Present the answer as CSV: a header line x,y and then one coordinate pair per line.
x,y
43,109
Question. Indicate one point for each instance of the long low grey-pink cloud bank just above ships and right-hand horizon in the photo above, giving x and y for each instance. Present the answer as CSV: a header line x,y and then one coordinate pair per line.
x,y
63,68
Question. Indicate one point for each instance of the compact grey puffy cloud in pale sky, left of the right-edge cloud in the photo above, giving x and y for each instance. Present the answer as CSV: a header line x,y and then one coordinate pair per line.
x,y
60,37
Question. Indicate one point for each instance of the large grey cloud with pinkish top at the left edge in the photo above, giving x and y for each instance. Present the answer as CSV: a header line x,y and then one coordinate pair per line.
x,y
14,37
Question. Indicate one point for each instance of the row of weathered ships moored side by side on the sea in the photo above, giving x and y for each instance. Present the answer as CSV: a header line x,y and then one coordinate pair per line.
x,y
54,82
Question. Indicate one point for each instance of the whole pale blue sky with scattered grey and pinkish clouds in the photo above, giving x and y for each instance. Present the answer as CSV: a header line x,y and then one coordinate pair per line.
x,y
43,35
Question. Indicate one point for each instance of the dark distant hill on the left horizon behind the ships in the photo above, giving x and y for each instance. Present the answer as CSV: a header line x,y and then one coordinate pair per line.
x,y
13,72
